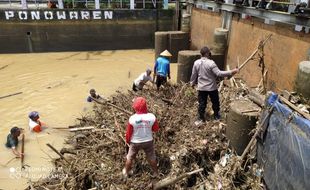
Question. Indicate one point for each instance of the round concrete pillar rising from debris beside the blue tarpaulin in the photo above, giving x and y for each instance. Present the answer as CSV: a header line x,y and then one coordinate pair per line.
x,y
241,120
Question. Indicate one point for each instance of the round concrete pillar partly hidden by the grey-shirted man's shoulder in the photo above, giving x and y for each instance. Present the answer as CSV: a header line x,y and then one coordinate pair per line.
x,y
186,59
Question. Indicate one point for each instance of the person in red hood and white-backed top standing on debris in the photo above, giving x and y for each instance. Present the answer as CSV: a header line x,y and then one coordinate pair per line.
x,y
139,135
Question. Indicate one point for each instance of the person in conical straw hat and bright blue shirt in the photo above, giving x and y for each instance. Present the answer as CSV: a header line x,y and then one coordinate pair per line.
x,y
162,68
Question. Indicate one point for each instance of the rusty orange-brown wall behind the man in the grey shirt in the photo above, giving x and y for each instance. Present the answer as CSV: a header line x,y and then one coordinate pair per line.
x,y
282,53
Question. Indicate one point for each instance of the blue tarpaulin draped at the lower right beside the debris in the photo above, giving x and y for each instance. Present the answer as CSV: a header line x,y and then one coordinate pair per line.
x,y
284,149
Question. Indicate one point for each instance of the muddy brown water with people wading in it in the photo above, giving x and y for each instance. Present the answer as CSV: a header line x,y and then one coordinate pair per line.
x,y
56,85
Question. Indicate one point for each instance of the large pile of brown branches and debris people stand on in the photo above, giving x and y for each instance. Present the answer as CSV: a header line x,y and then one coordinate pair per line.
x,y
96,158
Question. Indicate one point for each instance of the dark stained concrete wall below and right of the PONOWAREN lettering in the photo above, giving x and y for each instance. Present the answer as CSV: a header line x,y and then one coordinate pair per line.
x,y
132,30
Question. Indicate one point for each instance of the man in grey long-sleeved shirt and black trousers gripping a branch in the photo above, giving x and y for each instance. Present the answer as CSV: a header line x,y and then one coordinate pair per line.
x,y
204,73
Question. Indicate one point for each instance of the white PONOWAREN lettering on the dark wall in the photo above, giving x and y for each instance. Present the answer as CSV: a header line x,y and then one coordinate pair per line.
x,y
31,15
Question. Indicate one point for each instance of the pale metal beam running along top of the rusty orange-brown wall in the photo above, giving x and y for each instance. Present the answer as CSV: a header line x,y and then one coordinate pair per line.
x,y
263,14
